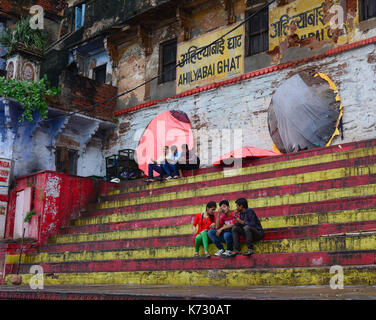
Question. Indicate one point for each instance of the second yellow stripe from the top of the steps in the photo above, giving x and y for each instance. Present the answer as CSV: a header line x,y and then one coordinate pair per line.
x,y
247,186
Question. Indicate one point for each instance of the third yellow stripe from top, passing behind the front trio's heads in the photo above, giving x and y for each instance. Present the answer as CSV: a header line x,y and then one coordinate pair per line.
x,y
306,197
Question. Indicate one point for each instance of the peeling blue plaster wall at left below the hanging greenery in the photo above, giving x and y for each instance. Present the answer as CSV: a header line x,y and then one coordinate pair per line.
x,y
32,148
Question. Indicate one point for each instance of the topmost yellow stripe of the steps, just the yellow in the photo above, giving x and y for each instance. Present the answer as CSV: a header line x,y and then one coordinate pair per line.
x,y
357,153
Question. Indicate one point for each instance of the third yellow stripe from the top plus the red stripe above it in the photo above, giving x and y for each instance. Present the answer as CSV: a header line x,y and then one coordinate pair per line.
x,y
358,186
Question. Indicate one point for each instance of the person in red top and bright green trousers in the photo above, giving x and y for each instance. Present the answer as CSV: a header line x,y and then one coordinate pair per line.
x,y
201,224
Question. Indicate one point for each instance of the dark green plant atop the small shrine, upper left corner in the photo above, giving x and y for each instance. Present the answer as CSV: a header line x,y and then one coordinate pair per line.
x,y
23,35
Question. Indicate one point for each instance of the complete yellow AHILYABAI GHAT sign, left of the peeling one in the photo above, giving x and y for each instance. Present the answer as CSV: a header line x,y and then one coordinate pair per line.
x,y
200,64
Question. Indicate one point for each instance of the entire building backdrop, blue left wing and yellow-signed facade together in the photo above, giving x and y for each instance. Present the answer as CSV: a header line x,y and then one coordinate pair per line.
x,y
122,63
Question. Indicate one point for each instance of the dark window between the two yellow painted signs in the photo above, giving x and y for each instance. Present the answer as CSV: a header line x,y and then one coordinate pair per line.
x,y
258,32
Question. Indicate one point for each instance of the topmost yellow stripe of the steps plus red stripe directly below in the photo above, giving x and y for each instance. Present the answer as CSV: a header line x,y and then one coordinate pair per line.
x,y
338,160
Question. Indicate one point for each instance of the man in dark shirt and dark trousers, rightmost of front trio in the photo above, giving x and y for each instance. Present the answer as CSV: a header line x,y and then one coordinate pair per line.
x,y
247,225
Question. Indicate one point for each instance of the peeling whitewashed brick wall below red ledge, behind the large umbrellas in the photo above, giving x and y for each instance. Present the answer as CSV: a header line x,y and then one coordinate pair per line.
x,y
353,72
